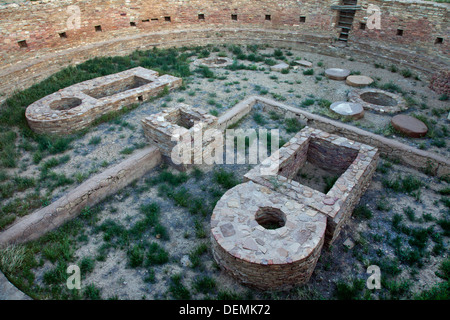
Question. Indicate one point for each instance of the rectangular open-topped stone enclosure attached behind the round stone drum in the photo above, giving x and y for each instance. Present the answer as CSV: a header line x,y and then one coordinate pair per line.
x,y
354,162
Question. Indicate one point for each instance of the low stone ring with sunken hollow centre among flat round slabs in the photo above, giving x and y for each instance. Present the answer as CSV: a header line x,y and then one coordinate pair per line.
x,y
378,100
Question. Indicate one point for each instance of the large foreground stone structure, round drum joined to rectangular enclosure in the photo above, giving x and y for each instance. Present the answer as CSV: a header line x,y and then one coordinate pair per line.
x,y
269,231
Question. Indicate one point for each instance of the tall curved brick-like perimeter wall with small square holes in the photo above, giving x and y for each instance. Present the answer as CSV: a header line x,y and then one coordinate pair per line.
x,y
38,38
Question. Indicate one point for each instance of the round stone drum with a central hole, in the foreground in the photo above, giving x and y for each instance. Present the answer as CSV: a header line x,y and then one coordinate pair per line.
x,y
264,239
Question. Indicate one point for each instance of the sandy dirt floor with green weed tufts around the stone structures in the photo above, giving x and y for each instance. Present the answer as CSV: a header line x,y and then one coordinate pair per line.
x,y
408,244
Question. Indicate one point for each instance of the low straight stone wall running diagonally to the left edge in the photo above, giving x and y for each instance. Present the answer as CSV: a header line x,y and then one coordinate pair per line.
x,y
88,194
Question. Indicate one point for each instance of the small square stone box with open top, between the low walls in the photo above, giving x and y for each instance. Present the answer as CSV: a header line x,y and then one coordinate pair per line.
x,y
179,123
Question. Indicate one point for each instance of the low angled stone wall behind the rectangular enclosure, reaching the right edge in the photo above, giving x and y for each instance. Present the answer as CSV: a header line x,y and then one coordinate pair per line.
x,y
407,155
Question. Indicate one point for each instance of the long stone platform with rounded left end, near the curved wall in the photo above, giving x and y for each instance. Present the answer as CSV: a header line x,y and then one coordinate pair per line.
x,y
76,107
